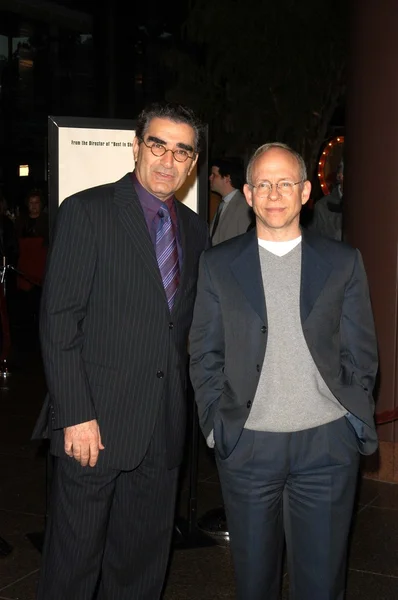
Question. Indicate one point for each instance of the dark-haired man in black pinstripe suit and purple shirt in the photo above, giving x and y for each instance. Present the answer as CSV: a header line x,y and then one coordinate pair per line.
x,y
115,355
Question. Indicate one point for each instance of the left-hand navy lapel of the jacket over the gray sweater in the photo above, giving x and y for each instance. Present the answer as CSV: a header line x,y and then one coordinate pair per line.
x,y
247,271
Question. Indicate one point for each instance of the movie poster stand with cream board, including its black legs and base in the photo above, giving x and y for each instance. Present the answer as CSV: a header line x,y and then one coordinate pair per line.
x,y
86,152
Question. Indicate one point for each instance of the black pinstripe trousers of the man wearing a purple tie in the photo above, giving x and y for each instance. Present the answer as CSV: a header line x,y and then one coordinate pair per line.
x,y
109,532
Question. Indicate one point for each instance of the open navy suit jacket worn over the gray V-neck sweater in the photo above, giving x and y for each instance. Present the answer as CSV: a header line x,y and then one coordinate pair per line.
x,y
228,337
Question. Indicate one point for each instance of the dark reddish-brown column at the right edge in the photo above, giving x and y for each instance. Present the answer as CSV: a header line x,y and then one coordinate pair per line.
x,y
371,197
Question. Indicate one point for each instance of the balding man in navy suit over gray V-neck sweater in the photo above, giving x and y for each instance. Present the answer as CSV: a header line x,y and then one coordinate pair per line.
x,y
283,364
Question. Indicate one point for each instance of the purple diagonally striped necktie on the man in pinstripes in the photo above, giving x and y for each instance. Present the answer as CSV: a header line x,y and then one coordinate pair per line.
x,y
167,255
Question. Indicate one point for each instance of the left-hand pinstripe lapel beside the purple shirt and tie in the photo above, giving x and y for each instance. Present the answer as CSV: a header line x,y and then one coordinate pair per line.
x,y
132,218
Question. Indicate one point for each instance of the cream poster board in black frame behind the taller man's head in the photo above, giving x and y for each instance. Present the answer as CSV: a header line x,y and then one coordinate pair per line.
x,y
86,152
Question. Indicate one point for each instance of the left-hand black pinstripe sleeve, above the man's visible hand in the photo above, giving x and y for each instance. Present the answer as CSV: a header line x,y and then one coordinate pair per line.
x,y
67,287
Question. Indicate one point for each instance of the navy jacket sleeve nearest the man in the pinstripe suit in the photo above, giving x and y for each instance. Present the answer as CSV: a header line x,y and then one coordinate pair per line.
x,y
207,349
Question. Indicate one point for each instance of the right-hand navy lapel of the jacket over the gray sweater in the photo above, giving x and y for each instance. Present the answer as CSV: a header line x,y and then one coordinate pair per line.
x,y
315,271
